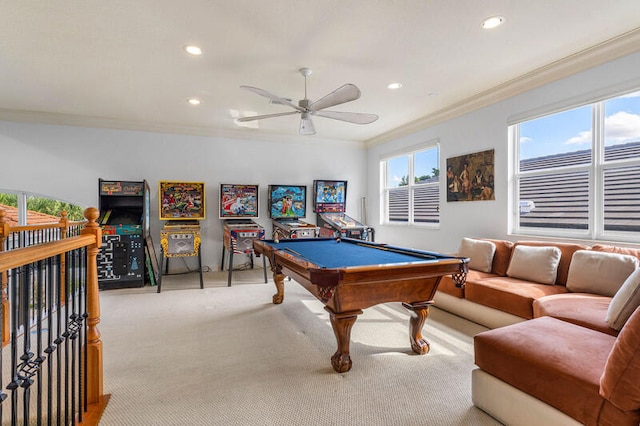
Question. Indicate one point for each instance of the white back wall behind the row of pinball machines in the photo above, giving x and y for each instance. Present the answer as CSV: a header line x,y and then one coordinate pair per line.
x,y
65,162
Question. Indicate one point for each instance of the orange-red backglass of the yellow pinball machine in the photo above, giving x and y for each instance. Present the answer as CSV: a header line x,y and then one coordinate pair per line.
x,y
181,200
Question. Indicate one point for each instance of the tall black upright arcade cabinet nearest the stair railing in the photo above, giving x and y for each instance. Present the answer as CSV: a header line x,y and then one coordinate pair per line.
x,y
124,219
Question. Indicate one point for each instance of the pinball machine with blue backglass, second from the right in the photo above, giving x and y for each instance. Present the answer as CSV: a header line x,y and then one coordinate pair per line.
x,y
287,205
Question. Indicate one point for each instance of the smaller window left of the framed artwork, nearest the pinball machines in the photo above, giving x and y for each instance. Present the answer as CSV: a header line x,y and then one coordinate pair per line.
x,y
411,189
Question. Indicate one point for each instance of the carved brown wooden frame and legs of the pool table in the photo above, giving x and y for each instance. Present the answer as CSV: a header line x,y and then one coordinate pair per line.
x,y
346,291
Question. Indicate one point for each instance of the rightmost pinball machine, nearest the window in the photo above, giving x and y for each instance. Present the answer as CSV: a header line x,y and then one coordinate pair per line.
x,y
330,202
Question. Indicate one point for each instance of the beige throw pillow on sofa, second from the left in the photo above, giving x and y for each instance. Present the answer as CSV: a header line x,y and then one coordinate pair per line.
x,y
533,263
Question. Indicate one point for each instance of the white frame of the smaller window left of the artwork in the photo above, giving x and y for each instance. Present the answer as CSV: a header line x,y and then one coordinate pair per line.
x,y
411,186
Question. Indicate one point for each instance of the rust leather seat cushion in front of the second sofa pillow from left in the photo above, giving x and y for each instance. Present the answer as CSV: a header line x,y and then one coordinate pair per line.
x,y
510,295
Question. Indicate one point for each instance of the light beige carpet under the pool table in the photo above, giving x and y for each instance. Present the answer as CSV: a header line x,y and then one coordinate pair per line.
x,y
228,356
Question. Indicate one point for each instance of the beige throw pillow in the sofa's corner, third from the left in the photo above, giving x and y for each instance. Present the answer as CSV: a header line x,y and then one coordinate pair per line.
x,y
599,272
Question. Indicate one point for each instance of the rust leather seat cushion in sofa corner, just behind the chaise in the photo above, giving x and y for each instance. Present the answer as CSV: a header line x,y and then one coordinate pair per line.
x,y
587,310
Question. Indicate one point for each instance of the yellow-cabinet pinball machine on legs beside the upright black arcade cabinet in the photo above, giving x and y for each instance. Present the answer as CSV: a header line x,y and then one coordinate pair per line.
x,y
182,206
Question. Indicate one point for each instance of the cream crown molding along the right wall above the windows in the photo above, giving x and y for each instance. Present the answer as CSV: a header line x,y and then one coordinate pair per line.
x,y
617,47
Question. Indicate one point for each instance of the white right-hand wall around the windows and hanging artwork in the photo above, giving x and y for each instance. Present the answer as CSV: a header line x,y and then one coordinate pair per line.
x,y
481,130
